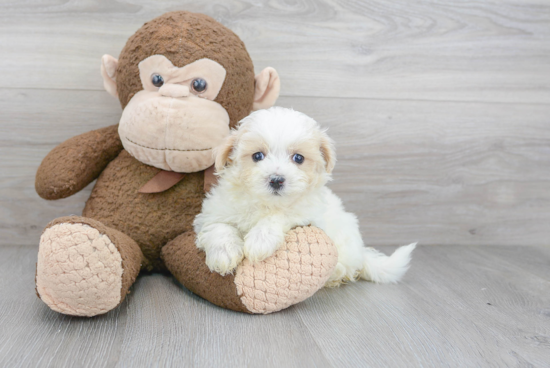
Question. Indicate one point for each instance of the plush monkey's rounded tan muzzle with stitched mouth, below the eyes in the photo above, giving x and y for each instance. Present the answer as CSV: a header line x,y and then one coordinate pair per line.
x,y
175,134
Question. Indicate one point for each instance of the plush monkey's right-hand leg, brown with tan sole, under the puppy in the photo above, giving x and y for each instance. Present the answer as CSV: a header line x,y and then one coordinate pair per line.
x,y
300,267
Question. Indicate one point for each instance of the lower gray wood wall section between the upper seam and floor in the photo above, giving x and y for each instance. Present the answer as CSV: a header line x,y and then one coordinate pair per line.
x,y
438,173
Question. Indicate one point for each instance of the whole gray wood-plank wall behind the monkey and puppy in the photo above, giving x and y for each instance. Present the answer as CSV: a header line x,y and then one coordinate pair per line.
x,y
440,110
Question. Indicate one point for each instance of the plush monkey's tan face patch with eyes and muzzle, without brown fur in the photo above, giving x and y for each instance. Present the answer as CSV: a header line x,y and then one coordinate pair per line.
x,y
174,122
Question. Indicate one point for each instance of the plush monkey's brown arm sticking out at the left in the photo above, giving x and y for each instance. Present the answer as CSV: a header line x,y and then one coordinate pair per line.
x,y
75,163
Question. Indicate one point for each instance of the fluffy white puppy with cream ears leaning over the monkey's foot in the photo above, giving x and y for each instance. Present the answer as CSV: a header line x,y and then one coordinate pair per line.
x,y
272,175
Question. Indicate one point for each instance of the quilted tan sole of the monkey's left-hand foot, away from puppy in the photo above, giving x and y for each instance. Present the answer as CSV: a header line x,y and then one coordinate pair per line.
x,y
79,270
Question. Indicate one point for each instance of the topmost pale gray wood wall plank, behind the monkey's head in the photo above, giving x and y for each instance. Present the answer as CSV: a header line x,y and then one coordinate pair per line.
x,y
435,50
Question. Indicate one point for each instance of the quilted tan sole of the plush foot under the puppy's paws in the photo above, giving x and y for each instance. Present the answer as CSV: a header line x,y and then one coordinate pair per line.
x,y
294,273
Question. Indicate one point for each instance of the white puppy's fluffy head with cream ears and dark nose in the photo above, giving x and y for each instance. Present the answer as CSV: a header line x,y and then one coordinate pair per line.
x,y
277,153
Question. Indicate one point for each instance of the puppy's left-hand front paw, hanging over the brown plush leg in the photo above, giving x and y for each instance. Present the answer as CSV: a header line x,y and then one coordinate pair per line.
x,y
225,256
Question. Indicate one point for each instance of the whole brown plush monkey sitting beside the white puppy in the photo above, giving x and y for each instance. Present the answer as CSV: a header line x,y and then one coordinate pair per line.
x,y
183,81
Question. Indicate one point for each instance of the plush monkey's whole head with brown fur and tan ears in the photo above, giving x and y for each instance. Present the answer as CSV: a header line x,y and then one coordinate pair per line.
x,y
183,80
